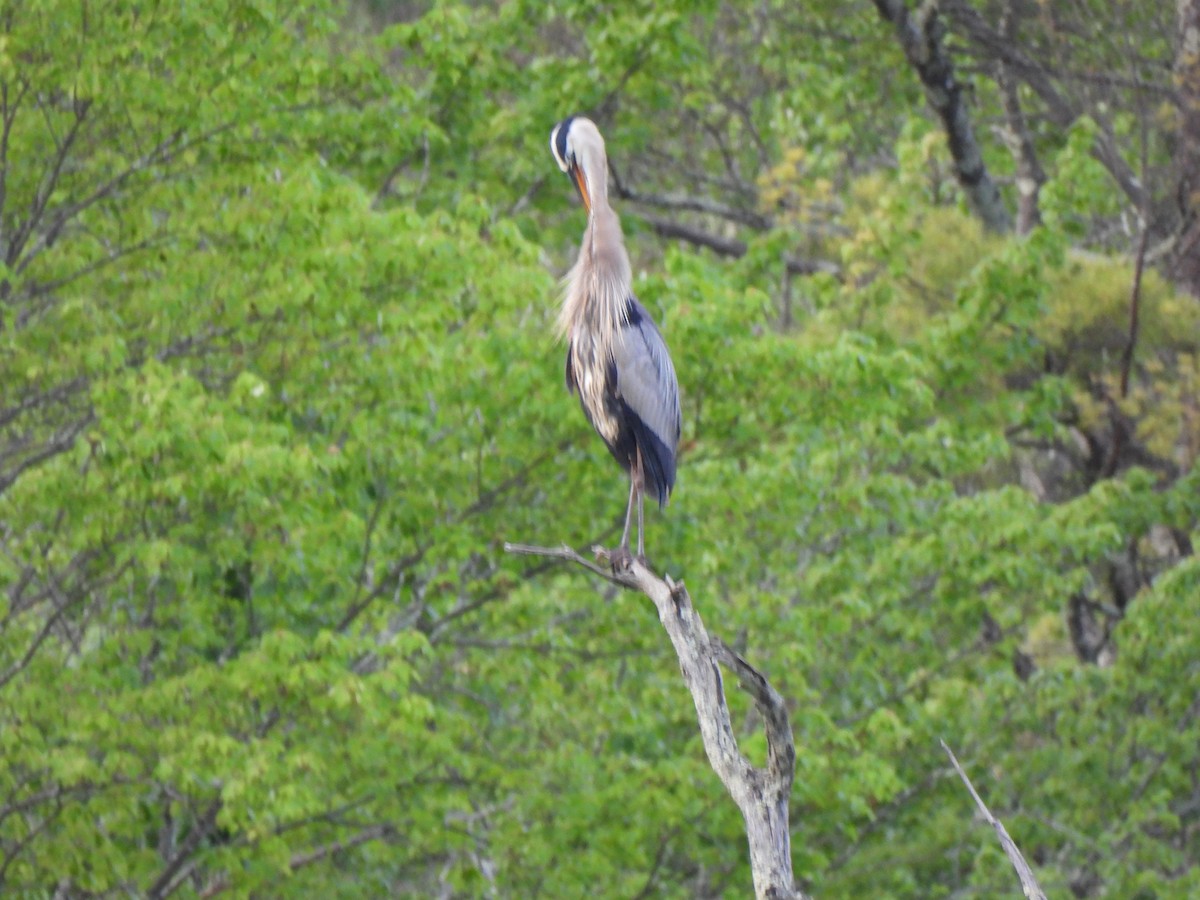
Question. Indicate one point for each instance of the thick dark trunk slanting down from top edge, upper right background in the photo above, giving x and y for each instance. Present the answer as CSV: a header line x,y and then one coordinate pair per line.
x,y
922,37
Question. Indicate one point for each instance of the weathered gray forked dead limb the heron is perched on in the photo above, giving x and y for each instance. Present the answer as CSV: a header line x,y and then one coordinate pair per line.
x,y
761,794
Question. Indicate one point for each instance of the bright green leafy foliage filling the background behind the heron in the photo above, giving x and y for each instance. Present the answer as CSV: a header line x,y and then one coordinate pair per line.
x,y
279,381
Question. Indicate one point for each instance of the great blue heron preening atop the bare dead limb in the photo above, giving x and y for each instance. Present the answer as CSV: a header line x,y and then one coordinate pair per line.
x,y
616,358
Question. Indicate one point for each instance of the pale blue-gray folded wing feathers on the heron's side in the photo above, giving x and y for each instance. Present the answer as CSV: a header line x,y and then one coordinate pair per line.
x,y
646,379
